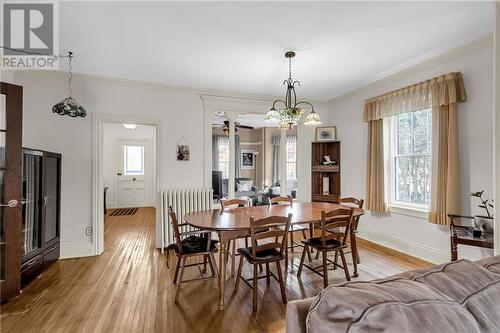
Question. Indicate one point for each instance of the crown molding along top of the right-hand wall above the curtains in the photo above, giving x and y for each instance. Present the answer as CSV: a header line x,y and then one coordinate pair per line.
x,y
395,75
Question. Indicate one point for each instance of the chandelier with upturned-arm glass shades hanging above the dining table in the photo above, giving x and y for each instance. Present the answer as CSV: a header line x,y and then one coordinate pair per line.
x,y
288,114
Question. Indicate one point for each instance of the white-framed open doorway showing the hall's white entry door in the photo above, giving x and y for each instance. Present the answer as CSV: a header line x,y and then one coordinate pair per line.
x,y
125,169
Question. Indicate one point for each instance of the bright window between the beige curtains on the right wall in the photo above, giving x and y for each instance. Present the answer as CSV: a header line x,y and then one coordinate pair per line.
x,y
410,159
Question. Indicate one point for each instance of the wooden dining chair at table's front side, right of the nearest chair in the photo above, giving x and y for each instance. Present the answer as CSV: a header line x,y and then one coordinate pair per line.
x,y
329,241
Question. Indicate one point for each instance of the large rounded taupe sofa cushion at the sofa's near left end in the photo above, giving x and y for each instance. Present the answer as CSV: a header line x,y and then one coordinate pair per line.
x,y
397,305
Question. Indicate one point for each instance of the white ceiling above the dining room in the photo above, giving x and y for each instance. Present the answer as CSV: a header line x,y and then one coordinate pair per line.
x,y
239,46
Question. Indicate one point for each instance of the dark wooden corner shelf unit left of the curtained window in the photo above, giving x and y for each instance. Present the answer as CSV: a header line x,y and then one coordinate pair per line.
x,y
318,171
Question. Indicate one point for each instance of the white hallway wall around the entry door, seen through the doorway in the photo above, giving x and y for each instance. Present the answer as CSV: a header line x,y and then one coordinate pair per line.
x,y
117,131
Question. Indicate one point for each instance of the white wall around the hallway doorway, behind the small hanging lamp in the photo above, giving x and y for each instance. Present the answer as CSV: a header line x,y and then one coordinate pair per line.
x,y
181,114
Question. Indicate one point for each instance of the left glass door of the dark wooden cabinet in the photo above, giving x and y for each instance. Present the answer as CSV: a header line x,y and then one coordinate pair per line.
x,y
31,227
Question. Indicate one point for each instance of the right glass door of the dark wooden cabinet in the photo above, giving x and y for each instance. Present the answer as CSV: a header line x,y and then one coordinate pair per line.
x,y
51,198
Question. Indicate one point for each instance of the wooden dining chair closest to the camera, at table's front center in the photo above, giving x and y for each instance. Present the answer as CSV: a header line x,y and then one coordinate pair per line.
x,y
271,249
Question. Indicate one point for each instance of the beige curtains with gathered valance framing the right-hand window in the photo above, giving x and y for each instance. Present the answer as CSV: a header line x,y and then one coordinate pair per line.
x,y
442,94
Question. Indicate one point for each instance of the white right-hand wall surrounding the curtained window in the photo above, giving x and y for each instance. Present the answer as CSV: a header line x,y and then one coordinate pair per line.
x,y
409,234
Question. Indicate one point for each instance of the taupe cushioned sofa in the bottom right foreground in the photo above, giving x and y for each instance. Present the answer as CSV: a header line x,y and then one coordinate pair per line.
x,y
461,296
